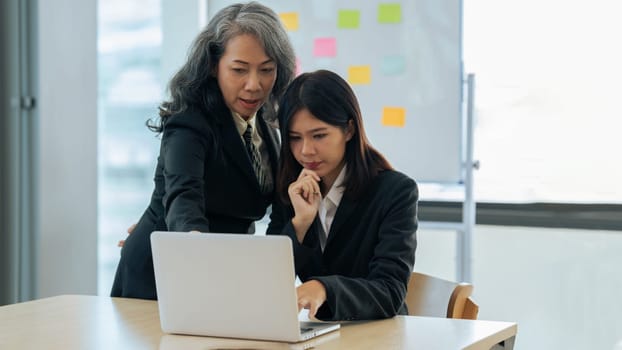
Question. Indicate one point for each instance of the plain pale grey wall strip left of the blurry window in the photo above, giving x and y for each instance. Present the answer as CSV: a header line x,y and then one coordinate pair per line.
x,y
67,147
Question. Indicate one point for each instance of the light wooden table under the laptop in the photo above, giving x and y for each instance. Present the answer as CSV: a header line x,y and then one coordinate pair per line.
x,y
91,322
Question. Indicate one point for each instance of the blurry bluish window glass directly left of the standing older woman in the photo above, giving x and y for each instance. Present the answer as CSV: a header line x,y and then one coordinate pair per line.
x,y
129,50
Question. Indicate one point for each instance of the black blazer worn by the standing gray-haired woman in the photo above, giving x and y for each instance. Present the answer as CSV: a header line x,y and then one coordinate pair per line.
x,y
204,181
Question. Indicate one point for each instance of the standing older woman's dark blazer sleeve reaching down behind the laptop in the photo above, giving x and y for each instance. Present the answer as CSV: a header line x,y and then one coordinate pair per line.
x,y
185,148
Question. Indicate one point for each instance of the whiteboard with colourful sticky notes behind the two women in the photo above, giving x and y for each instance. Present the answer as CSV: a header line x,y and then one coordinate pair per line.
x,y
403,60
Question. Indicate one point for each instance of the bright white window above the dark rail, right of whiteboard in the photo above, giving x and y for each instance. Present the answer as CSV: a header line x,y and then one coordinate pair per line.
x,y
547,110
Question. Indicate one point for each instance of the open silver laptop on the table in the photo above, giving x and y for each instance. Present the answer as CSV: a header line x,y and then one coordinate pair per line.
x,y
229,285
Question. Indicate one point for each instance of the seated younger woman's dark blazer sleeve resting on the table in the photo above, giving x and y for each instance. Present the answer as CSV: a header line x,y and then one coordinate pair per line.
x,y
381,293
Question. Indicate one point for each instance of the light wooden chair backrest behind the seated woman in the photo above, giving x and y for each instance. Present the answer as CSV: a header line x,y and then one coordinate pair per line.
x,y
432,296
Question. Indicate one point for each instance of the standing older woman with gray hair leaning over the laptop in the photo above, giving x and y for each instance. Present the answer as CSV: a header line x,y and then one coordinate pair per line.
x,y
219,145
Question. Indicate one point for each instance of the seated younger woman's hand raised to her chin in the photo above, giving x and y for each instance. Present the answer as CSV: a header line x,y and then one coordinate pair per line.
x,y
305,195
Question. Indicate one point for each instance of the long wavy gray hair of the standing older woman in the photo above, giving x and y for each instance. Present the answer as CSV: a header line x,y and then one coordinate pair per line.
x,y
195,83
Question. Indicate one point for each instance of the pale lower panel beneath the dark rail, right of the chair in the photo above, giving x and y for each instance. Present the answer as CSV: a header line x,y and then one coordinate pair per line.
x,y
562,287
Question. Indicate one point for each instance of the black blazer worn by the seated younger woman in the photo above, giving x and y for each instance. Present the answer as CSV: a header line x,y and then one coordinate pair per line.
x,y
369,253
